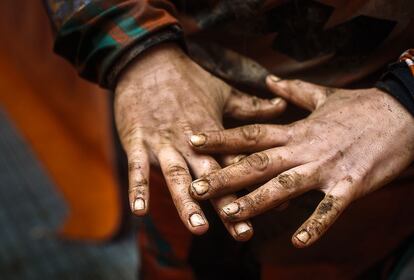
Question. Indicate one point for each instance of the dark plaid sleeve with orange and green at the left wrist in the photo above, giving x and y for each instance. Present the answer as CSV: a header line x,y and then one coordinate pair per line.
x,y
100,37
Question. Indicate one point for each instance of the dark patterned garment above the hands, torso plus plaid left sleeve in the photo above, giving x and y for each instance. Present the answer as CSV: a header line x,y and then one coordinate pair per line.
x,y
296,39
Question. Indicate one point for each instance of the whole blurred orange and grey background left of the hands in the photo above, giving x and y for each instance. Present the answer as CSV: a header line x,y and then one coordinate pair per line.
x,y
60,203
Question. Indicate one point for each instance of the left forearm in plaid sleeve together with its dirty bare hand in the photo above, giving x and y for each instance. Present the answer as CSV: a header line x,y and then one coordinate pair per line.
x,y
161,96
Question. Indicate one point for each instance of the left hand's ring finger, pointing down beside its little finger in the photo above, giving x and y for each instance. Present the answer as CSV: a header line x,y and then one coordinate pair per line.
x,y
178,178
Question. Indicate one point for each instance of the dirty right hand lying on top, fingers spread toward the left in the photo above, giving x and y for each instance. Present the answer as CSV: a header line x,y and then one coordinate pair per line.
x,y
353,142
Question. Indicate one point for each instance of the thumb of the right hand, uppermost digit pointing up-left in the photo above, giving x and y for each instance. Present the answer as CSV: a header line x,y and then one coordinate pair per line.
x,y
303,94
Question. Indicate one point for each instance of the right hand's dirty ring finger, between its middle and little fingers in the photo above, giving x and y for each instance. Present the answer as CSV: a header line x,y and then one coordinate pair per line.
x,y
277,191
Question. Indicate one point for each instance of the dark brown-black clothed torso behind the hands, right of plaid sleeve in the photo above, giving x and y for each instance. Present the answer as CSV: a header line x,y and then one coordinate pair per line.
x,y
333,42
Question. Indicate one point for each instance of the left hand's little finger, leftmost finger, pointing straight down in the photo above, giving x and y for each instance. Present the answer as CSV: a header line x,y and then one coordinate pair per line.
x,y
138,177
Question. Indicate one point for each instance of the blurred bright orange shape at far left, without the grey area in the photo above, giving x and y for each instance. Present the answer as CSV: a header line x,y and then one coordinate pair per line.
x,y
65,120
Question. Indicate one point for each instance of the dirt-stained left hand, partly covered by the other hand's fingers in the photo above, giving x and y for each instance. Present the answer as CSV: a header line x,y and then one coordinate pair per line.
x,y
162,99
